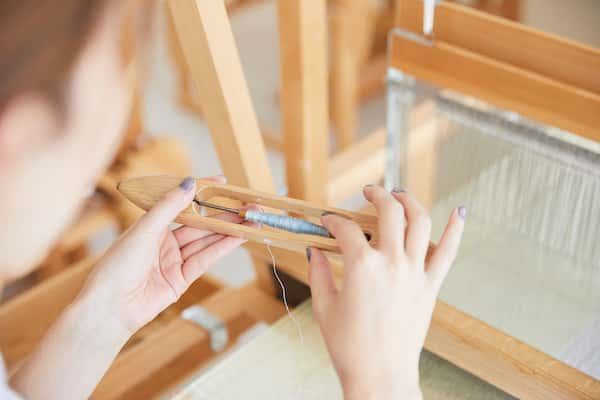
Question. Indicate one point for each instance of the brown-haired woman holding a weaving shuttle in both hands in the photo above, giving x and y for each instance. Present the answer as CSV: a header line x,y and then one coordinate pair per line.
x,y
63,101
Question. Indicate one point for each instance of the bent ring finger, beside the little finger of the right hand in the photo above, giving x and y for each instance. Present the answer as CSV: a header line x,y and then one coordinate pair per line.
x,y
418,229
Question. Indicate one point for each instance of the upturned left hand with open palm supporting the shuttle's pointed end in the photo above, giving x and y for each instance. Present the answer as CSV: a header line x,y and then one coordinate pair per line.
x,y
151,266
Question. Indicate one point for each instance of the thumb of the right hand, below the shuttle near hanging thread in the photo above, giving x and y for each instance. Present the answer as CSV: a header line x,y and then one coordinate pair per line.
x,y
320,278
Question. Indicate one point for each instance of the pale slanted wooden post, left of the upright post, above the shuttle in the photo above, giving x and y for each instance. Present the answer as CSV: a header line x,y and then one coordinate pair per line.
x,y
209,49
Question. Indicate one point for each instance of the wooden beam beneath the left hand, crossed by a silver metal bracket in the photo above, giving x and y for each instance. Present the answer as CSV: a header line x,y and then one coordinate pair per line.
x,y
177,349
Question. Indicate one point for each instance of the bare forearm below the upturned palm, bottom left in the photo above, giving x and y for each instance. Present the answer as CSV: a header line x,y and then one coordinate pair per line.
x,y
74,354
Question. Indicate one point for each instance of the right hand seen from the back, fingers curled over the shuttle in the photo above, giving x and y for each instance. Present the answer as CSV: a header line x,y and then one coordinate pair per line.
x,y
375,324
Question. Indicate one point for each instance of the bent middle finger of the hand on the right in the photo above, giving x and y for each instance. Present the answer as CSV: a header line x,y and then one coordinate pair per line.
x,y
391,218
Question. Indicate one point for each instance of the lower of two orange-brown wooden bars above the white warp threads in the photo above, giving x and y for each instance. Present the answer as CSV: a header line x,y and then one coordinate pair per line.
x,y
505,86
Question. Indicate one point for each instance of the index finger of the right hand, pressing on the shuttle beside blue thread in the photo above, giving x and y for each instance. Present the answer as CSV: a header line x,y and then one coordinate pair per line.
x,y
348,235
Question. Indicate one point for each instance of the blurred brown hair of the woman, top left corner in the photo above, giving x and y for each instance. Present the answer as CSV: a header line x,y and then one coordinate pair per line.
x,y
40,40
